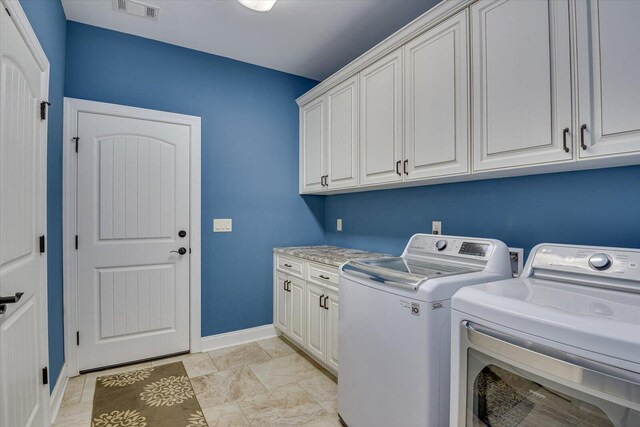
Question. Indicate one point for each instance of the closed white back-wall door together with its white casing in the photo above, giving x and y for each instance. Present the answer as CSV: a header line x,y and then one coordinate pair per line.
x,y
135,182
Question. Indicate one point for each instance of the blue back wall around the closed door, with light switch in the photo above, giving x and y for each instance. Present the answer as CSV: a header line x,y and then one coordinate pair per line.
x,y
249,155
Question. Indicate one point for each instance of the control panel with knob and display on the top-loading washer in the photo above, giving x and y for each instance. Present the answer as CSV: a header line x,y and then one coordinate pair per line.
x,y
426,244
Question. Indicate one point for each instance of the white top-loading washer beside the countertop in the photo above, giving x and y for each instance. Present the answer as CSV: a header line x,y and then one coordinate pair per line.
x,y
394,328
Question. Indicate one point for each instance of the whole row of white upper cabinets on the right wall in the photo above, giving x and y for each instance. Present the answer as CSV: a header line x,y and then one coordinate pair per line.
x,y
480,88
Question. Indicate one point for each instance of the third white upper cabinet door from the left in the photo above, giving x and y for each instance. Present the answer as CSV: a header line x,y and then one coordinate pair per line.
x,y
381,121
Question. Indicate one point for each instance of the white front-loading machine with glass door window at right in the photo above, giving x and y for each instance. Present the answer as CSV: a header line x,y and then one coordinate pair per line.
x,y
559,346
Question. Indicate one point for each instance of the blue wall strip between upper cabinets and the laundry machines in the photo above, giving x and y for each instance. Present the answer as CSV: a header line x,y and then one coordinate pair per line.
x,y
599,207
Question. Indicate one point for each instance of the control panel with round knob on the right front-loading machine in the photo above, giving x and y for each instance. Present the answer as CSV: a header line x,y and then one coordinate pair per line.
x,y
609,262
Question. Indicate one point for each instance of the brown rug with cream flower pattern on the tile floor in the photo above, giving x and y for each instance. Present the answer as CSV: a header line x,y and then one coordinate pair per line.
x,y
154,397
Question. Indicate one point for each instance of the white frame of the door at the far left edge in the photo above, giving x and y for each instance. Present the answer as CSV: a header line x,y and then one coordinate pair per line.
x,y
20,20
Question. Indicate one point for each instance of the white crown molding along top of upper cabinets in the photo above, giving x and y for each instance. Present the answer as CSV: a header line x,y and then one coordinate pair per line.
x,y
431,18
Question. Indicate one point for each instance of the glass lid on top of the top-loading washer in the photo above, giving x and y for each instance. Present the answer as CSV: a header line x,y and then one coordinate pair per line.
x,y
403,272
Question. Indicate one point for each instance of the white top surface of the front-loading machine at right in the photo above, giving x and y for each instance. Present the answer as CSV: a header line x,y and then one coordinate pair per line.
x,y
599,320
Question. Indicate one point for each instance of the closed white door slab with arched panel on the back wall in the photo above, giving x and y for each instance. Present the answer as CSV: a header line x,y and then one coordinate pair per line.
x,y
133,204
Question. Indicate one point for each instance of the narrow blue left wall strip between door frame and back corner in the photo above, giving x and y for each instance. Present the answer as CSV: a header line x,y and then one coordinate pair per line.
x,y
50,25
